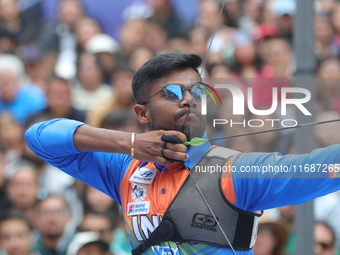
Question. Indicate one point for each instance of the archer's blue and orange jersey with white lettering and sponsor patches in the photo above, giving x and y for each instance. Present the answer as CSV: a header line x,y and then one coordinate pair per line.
x,y
259,180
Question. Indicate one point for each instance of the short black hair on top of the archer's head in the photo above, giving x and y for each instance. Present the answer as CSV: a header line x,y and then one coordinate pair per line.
x,y
154,69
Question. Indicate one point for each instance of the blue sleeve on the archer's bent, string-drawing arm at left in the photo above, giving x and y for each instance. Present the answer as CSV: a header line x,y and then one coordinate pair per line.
x,y
53,142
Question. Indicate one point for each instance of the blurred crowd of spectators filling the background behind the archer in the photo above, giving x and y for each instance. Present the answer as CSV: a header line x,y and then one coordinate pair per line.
x,y
72,67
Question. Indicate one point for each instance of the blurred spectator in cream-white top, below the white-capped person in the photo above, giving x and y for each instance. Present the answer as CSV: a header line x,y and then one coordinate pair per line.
x,y
91,91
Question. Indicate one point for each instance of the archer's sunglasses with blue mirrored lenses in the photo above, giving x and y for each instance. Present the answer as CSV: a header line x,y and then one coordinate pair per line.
x,y
176,92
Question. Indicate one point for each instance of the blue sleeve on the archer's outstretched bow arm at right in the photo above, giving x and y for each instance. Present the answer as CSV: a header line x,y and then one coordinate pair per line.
x,y
301,178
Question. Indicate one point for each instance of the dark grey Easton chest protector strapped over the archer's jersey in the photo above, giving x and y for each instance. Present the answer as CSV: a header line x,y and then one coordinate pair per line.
x,y
189,219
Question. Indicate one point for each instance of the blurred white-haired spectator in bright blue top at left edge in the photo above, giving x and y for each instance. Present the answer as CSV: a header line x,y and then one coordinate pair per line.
x,y
16,98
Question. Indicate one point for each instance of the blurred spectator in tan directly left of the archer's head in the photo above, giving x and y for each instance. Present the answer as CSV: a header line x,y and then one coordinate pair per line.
x,y
122,97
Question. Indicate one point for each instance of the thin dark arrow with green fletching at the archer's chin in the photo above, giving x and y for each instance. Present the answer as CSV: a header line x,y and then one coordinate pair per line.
x,y
196,141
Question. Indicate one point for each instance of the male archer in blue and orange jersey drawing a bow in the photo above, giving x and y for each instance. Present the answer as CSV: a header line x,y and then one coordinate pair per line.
x,y
168,206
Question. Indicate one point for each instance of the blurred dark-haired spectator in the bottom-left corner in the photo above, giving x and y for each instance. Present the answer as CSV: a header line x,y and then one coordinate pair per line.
x,y
15,234
